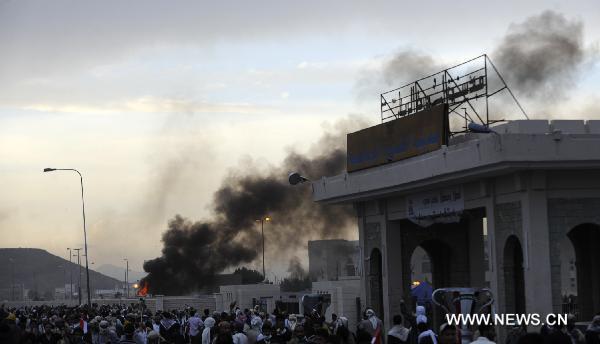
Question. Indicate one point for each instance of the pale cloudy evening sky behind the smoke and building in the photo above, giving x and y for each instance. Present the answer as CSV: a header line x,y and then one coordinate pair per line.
x,y
155,102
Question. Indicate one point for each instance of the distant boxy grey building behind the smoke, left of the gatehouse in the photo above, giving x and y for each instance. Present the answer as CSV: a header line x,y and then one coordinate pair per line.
x,y
330,260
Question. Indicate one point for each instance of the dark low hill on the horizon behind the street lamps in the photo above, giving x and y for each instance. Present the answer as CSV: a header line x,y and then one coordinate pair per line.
x,y
42,271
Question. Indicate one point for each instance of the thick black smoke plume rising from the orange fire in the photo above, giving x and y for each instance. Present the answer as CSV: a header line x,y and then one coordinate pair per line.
x,y
193,252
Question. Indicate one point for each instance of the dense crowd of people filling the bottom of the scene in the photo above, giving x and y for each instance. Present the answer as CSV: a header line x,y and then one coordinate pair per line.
x,y
137,324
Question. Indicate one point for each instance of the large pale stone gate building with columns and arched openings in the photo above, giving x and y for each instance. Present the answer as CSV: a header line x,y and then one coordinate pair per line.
x,y
519,193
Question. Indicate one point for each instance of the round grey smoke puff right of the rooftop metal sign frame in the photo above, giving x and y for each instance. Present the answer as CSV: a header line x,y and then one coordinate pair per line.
x,y
543,56
